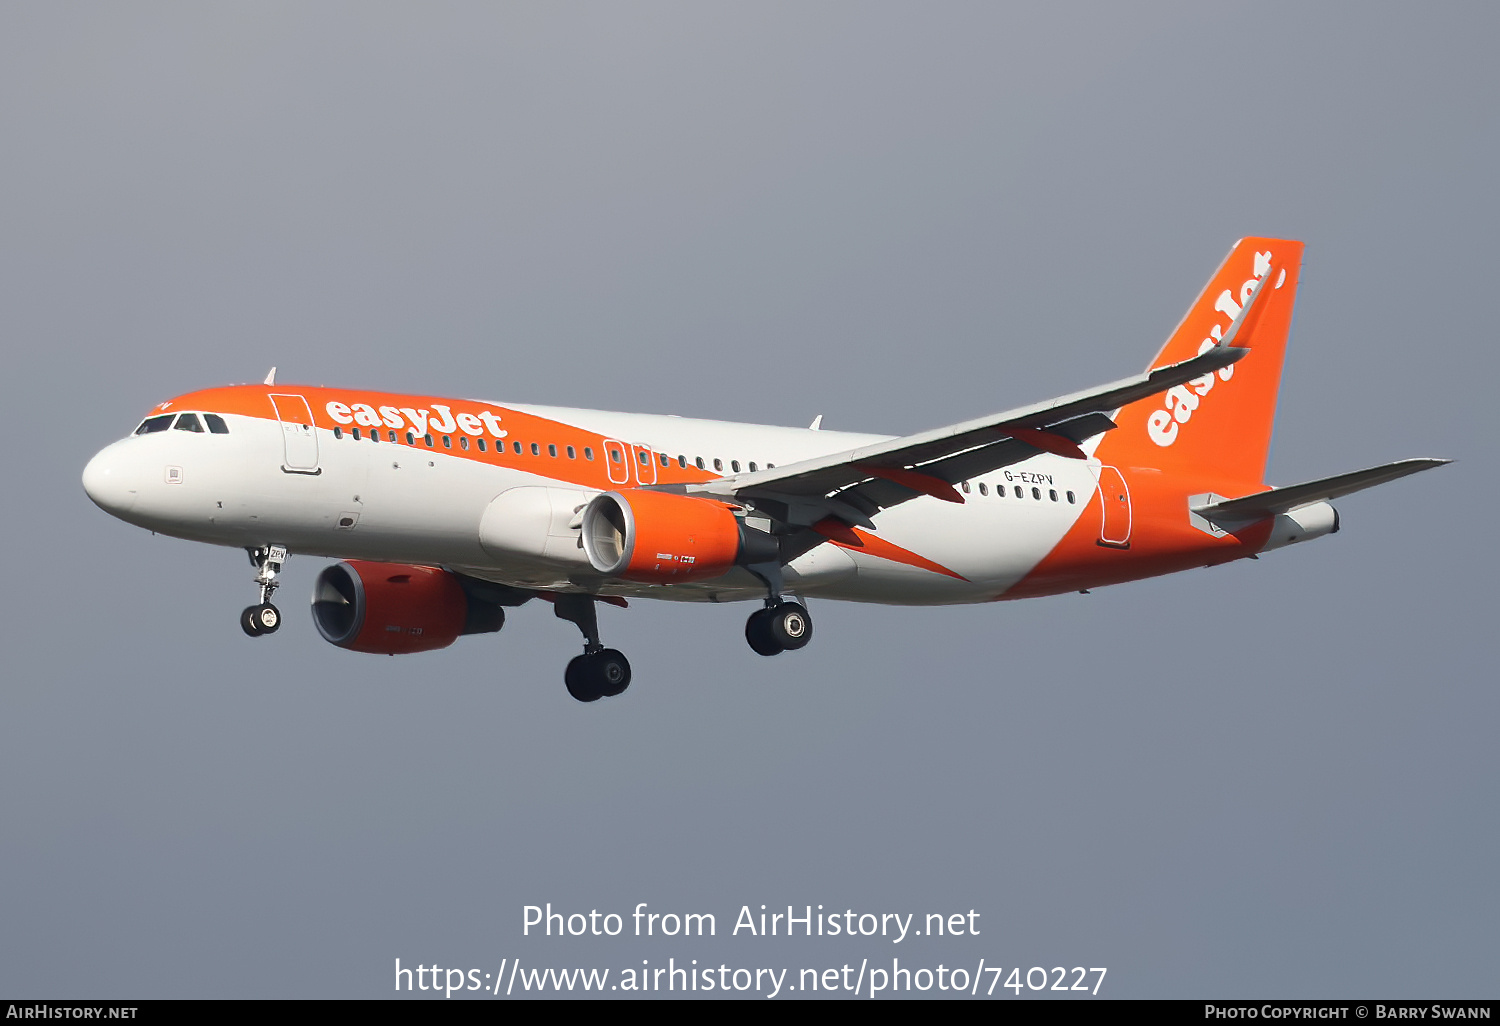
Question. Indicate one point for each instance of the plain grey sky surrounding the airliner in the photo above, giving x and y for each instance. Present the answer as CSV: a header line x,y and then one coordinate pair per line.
x,y
1276,778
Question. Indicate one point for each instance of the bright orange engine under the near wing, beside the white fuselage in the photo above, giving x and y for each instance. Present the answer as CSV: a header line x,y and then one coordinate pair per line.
x,y
664,538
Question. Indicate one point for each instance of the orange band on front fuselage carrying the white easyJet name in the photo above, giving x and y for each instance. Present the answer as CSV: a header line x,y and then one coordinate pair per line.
x,y
254,401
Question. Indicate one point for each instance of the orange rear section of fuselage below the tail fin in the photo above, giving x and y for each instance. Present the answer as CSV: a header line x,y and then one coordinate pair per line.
x,y
1162,541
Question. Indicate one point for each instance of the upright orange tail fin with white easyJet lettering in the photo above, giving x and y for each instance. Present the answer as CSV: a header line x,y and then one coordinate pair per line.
x,y
1217,428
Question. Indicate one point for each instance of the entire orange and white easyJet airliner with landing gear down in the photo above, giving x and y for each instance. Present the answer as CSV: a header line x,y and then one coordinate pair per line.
x,y
443,514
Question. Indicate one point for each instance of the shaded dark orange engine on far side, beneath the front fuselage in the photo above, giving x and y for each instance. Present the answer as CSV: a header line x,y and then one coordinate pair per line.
x,y
392,608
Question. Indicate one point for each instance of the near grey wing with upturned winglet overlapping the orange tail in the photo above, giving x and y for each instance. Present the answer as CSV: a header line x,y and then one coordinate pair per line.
x,y
857,484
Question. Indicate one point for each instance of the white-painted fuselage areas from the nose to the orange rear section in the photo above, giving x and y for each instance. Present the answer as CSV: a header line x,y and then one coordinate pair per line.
x,y
422,505
